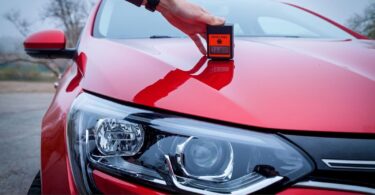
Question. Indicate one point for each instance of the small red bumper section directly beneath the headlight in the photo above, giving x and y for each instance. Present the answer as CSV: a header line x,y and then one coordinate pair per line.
x,y
110,185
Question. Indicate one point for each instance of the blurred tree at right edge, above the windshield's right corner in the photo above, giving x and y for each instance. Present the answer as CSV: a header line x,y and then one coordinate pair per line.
x,y
364,23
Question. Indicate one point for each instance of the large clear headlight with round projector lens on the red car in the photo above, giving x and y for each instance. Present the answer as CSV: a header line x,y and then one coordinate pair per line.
x,y
174,153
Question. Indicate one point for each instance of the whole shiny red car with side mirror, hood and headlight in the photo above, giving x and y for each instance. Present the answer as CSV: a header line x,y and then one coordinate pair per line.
x,y
140,111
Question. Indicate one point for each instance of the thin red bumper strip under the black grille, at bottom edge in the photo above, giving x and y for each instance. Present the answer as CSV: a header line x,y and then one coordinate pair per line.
x,y
312,191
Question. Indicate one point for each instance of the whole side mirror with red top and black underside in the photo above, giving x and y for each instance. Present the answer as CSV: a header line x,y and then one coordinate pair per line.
x,y
48,44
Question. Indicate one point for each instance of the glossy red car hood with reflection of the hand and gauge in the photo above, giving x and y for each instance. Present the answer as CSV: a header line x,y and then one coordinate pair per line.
x,y
273,83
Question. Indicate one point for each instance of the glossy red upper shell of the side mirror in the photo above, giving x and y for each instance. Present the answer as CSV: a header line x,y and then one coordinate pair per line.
x,y
50,39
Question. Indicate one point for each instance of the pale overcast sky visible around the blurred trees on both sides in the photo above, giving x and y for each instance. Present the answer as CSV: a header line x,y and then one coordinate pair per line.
x,y
338,10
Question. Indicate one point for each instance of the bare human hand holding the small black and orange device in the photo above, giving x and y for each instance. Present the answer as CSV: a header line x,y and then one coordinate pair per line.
x,y
189,18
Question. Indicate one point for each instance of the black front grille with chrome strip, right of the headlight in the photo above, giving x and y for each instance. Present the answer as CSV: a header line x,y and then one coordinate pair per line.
x,y
340,159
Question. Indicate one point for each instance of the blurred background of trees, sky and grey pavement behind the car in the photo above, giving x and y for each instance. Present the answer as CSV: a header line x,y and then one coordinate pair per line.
x,y
26,84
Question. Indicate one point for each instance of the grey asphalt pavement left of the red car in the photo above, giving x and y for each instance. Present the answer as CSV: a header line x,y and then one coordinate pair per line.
x,y
20,123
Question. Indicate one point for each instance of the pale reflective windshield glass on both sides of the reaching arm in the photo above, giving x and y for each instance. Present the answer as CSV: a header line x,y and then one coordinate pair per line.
x,y
118,19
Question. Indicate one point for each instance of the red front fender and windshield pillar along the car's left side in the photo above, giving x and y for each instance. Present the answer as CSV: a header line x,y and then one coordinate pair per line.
x,y
55,169
